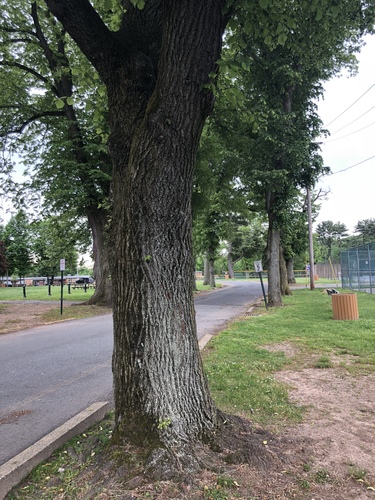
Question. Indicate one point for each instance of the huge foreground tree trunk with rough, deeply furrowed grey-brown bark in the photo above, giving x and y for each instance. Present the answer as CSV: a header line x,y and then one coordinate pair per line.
x,y
154,68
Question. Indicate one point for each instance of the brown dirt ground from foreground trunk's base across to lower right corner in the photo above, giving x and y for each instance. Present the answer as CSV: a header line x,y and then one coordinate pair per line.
x,y
329,456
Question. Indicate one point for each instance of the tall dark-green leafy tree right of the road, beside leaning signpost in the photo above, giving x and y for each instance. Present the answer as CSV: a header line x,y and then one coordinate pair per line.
x,y
284,82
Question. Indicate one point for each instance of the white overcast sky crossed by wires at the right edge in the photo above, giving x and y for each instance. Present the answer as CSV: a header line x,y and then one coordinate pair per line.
x,y
352,141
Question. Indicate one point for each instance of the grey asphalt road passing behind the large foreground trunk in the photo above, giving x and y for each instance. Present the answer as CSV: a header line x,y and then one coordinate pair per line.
x,y
51,373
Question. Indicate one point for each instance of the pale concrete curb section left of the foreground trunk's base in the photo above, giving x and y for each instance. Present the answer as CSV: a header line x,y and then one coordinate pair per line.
x,y
16,469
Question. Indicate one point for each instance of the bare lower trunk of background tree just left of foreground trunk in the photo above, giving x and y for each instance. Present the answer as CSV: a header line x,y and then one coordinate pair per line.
x,y
98,220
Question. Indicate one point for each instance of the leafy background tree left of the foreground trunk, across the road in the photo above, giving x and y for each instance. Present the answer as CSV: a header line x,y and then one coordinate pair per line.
x,y
53,114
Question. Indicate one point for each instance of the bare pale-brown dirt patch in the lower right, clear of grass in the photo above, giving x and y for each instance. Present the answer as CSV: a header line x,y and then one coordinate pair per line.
x,y
339,423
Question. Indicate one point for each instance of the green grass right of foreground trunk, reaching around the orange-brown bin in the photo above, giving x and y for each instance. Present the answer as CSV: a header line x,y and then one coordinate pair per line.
x,y
240,367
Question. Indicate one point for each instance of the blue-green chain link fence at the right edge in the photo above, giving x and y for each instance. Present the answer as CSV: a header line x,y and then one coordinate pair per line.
x,y
358,268
